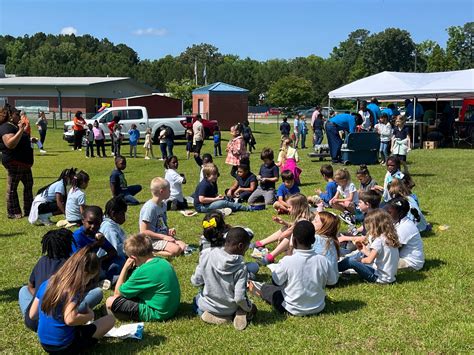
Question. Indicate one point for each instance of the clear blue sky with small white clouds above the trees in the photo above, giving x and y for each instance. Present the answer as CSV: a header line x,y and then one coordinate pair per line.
x,y
259,29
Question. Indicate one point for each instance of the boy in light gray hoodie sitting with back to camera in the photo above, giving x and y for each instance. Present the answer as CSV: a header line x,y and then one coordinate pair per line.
x,y
222,274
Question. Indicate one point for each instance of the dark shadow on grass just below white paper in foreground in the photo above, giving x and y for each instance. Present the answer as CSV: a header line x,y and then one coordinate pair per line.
x,y
128,346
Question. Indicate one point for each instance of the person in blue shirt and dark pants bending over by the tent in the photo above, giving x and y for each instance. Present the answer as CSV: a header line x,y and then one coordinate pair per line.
x,y
343,122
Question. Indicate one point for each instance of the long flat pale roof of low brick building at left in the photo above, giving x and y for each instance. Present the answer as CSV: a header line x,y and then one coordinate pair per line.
x,y
57,81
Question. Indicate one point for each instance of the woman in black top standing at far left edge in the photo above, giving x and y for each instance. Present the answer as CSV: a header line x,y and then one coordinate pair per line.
x,y
17,158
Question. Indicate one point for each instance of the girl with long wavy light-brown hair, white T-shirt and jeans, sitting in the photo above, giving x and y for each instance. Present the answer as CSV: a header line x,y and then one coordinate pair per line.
x,y
382,251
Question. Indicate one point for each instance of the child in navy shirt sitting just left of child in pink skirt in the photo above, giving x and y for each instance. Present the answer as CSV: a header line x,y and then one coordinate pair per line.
x,y
267,176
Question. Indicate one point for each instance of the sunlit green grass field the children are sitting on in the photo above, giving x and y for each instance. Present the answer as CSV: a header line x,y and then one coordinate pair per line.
x,y
428,311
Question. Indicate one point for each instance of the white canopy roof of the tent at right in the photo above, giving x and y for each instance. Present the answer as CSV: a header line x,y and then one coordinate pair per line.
x,y
395,85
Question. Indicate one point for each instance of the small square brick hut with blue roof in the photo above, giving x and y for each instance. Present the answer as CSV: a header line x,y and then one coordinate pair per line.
x,y
227,104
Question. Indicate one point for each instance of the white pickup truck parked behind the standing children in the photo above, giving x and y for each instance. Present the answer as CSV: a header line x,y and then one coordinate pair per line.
x,y
130,115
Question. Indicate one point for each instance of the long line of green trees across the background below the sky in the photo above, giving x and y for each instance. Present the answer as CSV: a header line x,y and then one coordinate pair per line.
x,y
283,82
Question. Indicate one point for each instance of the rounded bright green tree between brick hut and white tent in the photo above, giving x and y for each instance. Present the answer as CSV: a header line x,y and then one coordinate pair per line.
x,y
290,90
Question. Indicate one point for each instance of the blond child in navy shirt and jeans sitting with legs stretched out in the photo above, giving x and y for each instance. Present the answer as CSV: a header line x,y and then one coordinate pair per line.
x,y
206,196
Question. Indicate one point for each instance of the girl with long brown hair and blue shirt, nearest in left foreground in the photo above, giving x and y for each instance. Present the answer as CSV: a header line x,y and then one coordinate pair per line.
x,y
64,326
